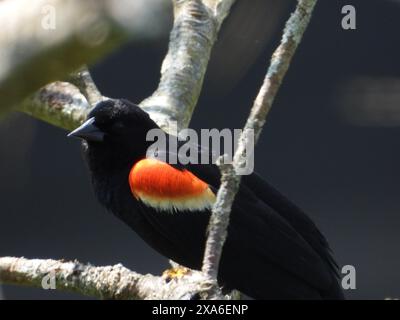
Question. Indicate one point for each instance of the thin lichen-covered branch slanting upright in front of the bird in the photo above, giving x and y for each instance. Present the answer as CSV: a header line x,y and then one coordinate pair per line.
x,y
230,181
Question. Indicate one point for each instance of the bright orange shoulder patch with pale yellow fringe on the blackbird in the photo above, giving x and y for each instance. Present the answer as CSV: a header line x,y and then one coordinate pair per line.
x,y
164,187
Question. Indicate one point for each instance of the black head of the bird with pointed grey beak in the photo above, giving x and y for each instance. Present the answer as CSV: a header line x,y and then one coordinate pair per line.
x,y
115,132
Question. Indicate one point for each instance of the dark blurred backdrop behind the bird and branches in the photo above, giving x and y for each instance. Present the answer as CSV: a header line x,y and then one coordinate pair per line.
x,y
331,144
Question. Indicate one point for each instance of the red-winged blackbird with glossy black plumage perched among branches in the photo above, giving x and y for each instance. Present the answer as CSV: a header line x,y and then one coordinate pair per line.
x,y
273,250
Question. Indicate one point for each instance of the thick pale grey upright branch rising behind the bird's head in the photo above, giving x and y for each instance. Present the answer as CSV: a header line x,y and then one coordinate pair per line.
x,y
195,30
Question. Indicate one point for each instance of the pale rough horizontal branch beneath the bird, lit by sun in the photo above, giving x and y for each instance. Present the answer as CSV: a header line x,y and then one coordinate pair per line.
x,y
110,282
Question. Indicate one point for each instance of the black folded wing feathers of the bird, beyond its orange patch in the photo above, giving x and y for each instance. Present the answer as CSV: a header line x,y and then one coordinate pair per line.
x,y
277,231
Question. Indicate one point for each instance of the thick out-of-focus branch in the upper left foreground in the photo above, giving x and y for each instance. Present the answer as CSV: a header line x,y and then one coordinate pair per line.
x,y
44,40
